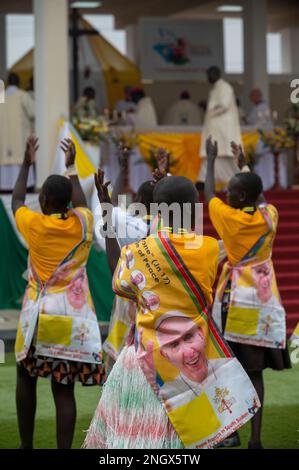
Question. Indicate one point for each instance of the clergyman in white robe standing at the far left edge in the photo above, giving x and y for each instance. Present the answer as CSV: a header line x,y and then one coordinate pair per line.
x,y
16,124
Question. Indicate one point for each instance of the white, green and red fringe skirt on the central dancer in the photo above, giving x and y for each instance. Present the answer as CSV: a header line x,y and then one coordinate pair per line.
x,y
129,414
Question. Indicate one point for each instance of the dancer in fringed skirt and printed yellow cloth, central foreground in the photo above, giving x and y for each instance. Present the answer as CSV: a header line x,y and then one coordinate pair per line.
x,y
178,384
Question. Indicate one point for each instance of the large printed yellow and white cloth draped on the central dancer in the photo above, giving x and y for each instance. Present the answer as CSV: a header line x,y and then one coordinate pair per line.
x,y
203,388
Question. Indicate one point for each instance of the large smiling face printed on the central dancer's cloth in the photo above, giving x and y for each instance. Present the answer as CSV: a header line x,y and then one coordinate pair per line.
x,y
183,344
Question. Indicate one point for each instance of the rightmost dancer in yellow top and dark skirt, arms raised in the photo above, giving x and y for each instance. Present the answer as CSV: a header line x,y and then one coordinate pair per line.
x,y
247,306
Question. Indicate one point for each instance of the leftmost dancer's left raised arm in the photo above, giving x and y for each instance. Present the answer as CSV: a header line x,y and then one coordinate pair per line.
x,y
19,192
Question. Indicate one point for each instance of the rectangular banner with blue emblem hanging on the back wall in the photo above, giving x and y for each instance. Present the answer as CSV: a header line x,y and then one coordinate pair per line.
x,y
173,49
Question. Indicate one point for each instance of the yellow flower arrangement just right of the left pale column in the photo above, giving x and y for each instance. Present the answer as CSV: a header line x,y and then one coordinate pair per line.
x,y
91,129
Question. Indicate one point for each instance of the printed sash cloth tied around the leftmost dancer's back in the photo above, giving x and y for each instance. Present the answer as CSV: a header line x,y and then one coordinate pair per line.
x,y
60,322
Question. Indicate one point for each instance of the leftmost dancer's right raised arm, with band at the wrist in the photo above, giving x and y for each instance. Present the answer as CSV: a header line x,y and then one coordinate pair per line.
x,y
78,196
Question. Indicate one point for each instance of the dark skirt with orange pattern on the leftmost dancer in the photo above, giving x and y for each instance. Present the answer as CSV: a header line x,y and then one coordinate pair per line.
x,y
63,371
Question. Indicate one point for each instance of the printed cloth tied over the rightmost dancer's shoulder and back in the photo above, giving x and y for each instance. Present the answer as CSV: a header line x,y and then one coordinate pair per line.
x,y
255,315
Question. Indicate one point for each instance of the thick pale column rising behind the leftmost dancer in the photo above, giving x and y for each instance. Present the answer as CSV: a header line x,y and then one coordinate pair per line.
x,y
51,78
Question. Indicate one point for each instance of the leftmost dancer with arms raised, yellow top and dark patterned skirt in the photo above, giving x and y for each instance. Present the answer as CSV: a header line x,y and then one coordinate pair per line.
x,y
58,334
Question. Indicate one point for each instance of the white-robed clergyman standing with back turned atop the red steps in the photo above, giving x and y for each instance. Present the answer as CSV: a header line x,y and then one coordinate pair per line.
x,y
222,123
